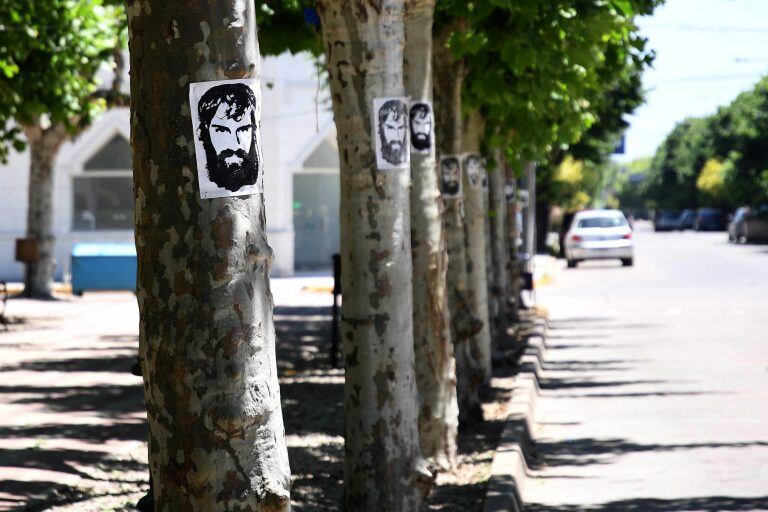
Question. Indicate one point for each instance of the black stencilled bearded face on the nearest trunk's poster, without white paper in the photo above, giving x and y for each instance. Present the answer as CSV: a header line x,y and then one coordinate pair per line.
x,y
228,131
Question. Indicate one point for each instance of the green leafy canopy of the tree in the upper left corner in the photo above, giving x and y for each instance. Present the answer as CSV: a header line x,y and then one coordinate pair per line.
x,y
50,55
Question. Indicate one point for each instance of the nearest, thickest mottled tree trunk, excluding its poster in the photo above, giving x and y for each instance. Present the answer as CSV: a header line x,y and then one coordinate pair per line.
x,y
207,339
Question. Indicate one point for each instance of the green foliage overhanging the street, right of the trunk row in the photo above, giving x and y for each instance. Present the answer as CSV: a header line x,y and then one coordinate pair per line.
x,y
543,73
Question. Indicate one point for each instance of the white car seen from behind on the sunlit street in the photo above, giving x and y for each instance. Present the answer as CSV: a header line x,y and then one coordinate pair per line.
x,y
599,234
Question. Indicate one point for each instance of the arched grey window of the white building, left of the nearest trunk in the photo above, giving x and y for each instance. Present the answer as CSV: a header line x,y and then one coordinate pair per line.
x,y
103,193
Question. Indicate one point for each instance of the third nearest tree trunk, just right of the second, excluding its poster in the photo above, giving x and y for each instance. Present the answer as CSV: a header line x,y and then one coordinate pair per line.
x,y
435,364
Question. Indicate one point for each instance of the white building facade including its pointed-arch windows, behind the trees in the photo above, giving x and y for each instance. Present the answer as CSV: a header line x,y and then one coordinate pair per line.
x,y
93,196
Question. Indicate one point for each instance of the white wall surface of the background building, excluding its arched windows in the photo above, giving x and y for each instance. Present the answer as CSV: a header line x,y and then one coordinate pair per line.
x,y
289,124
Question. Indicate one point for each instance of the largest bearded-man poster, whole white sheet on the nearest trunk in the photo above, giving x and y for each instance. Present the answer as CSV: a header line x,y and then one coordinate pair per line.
x,y
226,119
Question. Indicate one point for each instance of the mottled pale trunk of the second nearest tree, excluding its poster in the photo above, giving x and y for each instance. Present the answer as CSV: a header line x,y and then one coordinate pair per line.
x,y
383,467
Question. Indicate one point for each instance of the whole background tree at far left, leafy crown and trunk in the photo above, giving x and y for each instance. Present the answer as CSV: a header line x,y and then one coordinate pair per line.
x,y
50,55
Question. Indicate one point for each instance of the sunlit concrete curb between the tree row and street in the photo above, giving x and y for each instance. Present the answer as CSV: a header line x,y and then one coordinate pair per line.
x,y
509,469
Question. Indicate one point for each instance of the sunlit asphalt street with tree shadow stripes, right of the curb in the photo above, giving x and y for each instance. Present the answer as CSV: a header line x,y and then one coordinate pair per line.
x,y
655,385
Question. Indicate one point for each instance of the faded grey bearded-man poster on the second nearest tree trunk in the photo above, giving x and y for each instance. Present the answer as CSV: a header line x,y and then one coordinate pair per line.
x,y
390,131
